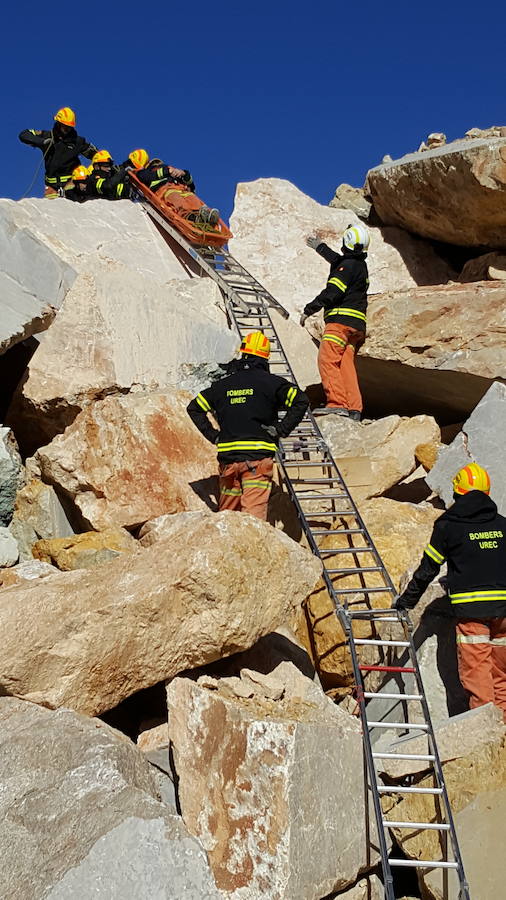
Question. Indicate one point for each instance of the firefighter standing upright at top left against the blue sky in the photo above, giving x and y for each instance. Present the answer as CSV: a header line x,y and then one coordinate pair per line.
x,y
62,147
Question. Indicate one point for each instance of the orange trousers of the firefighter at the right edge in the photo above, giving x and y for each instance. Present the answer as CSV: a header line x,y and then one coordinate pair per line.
x,y
481,651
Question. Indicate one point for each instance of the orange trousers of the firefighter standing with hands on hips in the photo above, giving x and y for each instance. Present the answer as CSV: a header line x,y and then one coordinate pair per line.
x,y
246,486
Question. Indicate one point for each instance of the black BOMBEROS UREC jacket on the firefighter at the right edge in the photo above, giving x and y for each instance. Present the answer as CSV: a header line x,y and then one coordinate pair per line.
x,y
471,537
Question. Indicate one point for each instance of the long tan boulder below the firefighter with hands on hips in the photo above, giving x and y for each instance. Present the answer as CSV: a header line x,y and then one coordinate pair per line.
x,y
90,638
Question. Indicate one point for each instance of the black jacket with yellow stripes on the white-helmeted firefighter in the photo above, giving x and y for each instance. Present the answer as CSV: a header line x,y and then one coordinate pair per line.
x,y
344,298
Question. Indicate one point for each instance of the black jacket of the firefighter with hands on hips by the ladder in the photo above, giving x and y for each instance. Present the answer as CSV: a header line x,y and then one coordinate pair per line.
x,y
241,403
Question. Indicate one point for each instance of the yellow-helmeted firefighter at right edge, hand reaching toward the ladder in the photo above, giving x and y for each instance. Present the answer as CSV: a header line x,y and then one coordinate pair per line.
x,y
471,538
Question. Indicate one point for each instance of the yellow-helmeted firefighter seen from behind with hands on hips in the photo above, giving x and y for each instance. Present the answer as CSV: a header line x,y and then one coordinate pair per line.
x,y
246,405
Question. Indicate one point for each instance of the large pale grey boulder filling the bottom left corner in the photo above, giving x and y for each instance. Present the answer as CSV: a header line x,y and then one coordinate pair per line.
x,y
81,815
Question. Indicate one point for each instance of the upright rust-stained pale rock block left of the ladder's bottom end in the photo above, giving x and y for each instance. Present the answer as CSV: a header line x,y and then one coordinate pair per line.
x,y
251,771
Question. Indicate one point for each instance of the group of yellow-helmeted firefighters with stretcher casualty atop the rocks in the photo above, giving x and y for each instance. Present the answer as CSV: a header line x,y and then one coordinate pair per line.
x,y
66,176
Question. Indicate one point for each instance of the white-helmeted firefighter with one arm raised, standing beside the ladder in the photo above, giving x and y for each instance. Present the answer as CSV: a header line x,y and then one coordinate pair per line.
x,y
344,301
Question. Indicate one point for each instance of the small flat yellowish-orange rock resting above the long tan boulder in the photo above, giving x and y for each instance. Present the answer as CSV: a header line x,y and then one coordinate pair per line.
x,y
84,551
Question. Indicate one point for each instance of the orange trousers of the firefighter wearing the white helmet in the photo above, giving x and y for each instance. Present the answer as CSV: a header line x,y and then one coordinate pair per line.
x,y
336,362
